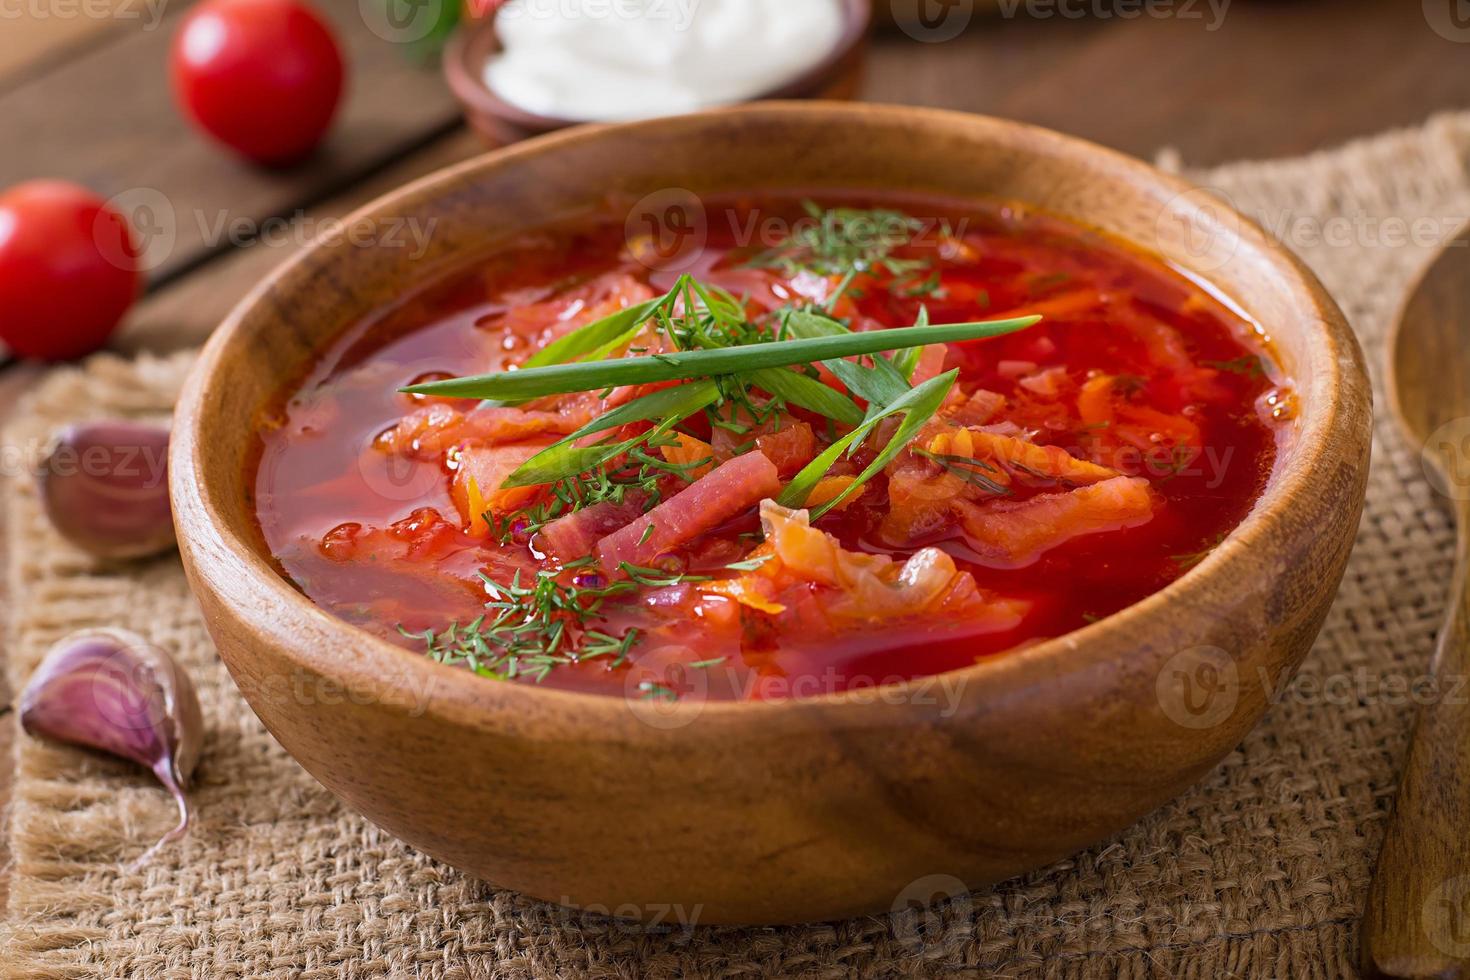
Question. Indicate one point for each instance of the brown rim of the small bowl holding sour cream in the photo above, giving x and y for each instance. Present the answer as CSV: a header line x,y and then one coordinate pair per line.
x,y
470,49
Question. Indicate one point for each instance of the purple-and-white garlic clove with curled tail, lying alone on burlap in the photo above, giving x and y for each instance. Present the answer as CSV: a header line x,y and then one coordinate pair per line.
x,y
117,693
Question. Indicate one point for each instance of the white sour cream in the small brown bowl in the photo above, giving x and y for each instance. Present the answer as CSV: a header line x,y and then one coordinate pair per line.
x,y
634,60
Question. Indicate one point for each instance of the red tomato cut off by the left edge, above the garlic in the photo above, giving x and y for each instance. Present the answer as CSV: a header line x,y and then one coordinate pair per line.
x,y
68,270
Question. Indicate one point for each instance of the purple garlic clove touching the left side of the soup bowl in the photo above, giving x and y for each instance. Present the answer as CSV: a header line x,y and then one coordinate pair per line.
x,y
105,489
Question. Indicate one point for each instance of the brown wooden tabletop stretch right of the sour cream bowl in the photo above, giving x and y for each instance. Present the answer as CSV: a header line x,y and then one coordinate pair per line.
x,y
1275,79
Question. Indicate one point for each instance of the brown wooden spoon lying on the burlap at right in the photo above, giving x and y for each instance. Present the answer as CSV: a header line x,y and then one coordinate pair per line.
x,y
1418,916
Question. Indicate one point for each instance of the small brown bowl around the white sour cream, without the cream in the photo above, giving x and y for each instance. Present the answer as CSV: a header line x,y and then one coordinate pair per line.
x,y
499,123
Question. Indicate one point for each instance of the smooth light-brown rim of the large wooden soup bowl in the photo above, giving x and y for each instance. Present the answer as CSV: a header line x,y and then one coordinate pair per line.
x,y
1328,430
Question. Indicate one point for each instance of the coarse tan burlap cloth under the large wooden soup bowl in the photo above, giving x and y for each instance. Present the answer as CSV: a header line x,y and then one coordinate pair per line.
x,y
1258,872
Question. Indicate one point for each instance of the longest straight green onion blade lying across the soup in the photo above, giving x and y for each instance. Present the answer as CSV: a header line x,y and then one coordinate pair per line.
x,y
555,380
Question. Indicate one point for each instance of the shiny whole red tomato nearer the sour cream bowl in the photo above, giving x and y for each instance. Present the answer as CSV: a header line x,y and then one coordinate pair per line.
x,y
262,77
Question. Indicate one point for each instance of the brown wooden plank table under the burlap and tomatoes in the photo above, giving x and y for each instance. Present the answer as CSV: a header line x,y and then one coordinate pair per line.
x,y
86,99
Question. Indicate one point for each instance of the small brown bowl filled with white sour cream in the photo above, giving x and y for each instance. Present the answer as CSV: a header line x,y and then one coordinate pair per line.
x,y
533,67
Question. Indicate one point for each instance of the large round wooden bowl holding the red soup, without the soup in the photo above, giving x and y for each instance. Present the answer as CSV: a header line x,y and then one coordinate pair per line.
x,y
803,810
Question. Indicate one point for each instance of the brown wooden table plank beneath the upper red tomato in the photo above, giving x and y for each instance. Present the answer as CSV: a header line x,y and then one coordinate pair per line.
x,y
108,121
